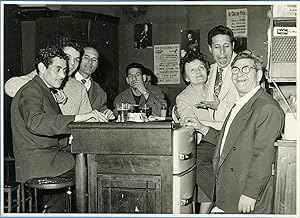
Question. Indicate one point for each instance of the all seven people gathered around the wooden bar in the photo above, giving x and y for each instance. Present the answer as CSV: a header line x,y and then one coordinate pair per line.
x,y
236,120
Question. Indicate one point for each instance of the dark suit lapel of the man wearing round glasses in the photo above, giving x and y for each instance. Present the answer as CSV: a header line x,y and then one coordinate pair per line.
x,y
237,125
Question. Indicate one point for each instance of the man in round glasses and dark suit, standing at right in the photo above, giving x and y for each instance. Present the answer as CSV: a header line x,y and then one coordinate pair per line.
x,y
245,153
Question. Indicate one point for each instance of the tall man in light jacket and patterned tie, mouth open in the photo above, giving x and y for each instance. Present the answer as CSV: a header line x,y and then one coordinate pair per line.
x,y
220,87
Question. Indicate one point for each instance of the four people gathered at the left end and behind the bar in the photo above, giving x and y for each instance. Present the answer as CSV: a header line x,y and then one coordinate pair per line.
x,y
59,91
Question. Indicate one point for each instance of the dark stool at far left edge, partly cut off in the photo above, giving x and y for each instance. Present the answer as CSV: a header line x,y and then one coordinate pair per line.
x,y
13,192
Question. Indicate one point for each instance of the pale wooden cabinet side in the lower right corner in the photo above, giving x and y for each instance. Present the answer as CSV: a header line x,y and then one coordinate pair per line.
x,y
285,194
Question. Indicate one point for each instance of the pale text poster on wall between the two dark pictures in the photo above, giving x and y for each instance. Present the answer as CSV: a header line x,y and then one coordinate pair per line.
x,y
166,63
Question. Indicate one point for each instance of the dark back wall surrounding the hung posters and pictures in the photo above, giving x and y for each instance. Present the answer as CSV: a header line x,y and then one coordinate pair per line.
x,y
167,21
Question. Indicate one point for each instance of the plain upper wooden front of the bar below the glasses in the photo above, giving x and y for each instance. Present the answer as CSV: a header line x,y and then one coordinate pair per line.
x,y
118,138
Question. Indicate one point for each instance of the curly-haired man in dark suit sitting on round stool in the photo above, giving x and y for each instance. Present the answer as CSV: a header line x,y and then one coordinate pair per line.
x,y
39,129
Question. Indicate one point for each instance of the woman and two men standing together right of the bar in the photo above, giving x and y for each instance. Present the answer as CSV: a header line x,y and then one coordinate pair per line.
x,y
237,122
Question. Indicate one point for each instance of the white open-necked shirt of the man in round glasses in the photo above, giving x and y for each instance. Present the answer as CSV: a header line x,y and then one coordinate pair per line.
x,y
238,106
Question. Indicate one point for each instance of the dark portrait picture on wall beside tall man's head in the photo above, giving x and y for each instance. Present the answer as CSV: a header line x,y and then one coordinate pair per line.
x,y
189,41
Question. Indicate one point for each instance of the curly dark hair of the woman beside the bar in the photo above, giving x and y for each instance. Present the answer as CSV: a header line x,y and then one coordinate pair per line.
x,y
191,56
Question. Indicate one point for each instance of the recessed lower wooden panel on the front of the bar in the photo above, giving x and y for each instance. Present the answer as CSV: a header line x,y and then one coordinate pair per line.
x,y
129,194
